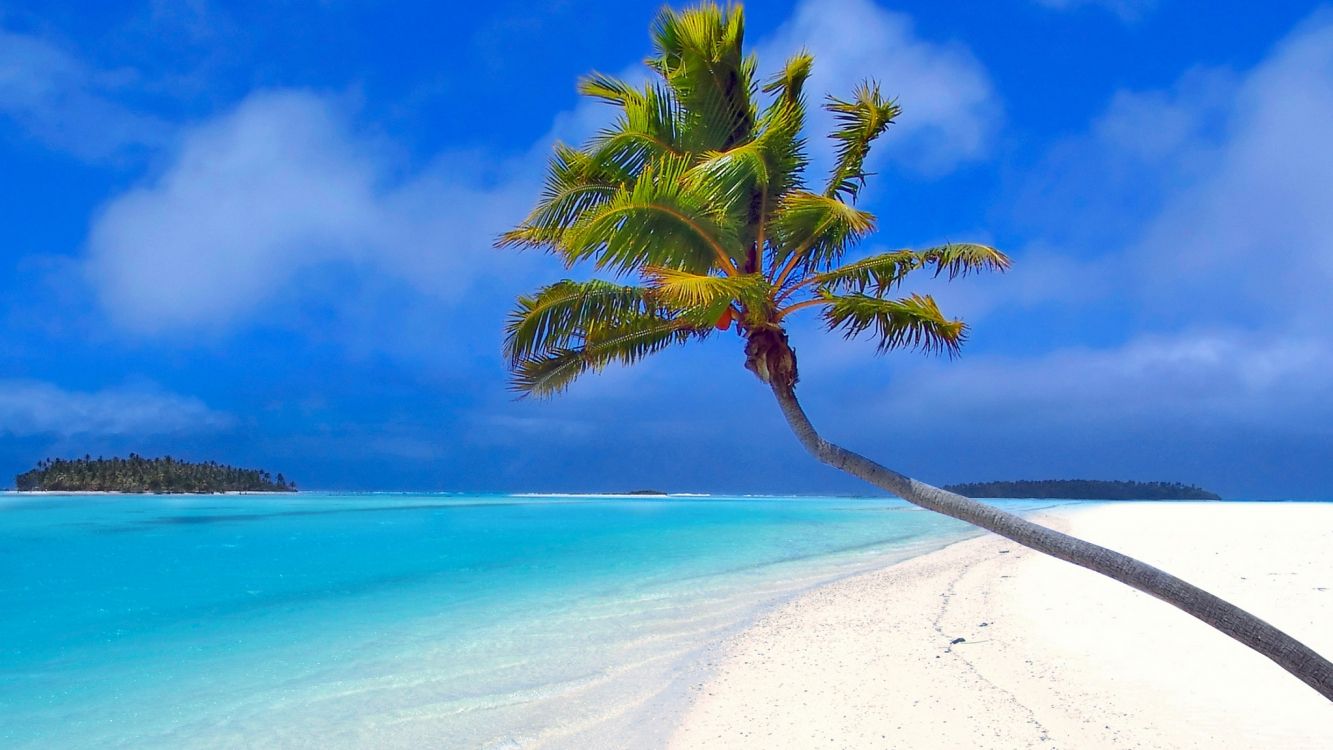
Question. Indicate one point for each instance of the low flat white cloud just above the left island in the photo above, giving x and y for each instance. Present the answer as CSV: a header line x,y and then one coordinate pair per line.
x,y
31,408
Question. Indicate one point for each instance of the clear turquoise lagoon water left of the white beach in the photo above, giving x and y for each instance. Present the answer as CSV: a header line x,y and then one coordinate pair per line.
x,y
325,620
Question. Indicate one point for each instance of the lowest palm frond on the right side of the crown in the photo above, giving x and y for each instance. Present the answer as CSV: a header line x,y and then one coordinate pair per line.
x,y
911,323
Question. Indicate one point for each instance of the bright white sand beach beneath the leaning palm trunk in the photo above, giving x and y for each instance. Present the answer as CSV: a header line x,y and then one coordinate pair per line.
x,y
1054,657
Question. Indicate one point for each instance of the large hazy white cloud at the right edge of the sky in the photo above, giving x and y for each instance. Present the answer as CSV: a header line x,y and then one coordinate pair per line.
x,y
1206,203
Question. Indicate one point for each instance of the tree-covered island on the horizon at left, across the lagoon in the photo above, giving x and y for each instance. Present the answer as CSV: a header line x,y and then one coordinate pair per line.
x,y
139,475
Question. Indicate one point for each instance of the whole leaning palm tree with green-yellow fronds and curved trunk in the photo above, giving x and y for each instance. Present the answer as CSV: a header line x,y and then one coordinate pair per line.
x,y
699,194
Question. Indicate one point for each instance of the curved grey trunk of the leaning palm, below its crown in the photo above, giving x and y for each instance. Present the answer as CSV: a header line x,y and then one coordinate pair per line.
x,y
1290,653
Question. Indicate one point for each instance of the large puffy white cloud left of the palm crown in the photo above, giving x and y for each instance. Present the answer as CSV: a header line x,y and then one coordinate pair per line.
x,y
282,187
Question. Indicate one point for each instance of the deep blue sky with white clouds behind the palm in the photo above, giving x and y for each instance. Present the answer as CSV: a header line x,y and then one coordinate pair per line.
x,y
261,232
